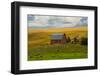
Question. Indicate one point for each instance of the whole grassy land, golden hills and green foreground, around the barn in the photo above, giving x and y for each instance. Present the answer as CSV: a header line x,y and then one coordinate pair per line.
x,y
39,47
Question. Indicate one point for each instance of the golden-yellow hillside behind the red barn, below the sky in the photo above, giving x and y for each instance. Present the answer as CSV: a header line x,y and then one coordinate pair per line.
x,y
42,36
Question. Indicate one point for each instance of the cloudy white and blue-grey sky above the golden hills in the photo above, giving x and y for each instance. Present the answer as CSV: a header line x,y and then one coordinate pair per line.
x,y
39,21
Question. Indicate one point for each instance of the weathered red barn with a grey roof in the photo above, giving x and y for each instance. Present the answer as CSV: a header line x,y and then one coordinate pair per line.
x,y
59,38
